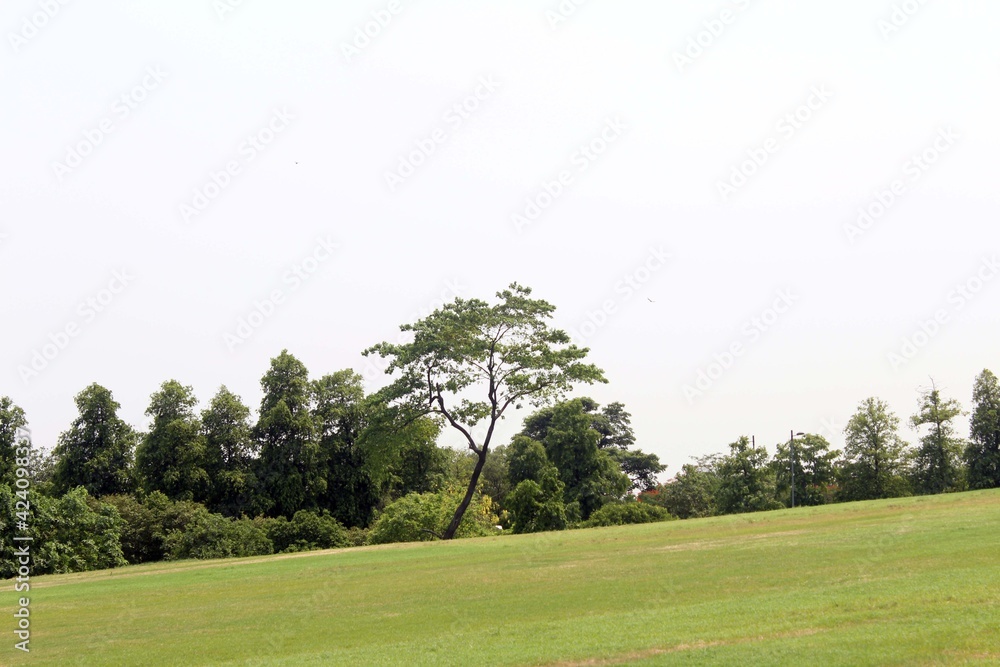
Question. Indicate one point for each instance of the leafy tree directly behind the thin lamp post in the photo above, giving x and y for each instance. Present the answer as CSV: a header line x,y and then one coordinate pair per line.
x,y
815,470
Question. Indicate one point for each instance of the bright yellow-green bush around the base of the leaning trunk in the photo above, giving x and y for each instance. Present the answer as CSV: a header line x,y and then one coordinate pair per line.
x,y
420,517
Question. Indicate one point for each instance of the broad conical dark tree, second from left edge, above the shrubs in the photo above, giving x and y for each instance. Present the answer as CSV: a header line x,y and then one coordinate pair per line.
x,y
97,450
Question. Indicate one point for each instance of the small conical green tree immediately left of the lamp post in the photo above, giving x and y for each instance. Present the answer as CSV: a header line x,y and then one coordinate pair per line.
x,y
746,481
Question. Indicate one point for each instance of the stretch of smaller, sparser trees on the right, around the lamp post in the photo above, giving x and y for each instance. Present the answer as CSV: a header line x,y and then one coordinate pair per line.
x,y
875,463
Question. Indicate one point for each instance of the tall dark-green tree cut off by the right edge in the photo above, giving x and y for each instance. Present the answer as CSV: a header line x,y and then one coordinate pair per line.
x,y
982,454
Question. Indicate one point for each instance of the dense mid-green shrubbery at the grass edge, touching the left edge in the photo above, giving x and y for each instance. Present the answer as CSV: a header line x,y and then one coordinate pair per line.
x,y
74,533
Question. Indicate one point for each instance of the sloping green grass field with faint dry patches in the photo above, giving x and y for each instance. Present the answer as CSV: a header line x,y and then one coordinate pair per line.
x,y
912,581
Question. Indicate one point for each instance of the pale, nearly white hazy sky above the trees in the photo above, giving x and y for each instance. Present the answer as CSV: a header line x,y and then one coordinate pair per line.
x,y
755,214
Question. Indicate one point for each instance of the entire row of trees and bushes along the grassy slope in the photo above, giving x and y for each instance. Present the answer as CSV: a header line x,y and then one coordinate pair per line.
x,y
326,465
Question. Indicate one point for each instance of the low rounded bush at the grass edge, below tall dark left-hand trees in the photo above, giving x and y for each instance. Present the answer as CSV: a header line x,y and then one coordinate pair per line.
x,y
208,535
